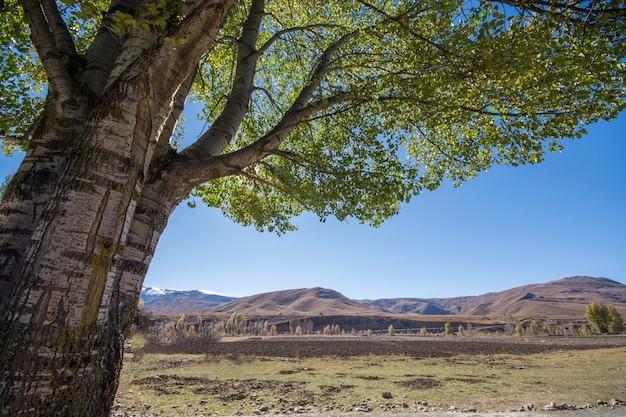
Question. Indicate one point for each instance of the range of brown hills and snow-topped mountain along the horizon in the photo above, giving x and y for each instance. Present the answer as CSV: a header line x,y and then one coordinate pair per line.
x,y
564,298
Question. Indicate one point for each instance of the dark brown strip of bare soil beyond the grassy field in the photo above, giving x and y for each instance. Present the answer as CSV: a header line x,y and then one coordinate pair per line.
x,y
421,346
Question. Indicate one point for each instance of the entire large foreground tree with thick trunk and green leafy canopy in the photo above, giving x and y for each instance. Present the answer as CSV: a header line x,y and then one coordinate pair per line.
x,y
340,108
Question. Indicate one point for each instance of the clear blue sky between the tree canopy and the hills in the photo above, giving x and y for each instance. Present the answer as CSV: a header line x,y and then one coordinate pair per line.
x,y
507,227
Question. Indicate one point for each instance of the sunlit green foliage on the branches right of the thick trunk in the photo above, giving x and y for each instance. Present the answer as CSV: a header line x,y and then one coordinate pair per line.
x,y
423,92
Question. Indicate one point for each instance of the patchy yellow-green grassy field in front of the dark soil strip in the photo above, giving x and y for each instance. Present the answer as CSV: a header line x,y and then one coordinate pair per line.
x,y
195,385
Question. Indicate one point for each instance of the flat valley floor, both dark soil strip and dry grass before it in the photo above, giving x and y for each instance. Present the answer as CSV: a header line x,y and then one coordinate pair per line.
x,y
491,376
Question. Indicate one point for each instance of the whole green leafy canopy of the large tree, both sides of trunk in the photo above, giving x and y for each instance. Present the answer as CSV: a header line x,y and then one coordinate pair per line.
x,y
347,108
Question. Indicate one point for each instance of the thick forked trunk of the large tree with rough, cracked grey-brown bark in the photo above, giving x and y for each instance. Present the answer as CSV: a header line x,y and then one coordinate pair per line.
x,y
81,218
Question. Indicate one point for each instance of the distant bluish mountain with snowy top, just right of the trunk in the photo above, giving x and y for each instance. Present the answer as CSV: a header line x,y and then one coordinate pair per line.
x,y
164,301
